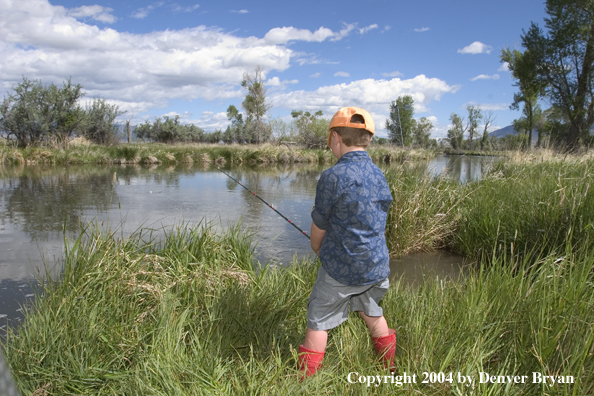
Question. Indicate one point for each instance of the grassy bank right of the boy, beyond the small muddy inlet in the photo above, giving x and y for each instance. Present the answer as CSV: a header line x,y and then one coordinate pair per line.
x,y
523,204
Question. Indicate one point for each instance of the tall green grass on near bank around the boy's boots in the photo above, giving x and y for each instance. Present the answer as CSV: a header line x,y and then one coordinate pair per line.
x,y
187,315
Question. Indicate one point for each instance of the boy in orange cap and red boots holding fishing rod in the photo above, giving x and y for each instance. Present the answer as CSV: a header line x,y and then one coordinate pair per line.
x,y
347,233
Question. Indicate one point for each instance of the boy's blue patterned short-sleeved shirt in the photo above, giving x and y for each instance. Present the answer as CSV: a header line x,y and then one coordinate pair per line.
x,y
352,201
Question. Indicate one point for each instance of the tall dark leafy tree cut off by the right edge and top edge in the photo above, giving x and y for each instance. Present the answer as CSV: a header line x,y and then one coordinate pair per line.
x,y
564,61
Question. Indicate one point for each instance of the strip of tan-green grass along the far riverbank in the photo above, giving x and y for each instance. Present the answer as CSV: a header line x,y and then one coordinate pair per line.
x,y
156,153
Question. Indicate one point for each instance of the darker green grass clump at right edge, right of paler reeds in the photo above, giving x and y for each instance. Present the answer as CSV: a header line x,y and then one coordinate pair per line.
x,y
539,205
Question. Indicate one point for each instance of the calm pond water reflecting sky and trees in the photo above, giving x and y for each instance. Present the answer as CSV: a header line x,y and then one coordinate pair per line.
x,y
38,205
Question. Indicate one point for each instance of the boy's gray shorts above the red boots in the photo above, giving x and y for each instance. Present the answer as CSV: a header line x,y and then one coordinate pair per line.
x,y
329,301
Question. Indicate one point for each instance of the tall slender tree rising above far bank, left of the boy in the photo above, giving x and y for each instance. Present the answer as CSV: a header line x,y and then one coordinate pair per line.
x,y
255,105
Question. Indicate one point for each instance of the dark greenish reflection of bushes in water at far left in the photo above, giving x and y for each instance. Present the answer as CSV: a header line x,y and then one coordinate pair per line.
x,y
43,201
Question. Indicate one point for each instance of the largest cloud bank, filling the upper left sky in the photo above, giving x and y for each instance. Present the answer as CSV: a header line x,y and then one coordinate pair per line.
x,y
137,71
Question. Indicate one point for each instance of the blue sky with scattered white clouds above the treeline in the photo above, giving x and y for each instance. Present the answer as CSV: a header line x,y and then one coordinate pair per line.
x,y
188,57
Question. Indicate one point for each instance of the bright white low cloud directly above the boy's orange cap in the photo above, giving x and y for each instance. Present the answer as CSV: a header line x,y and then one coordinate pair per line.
x,y
372,95
